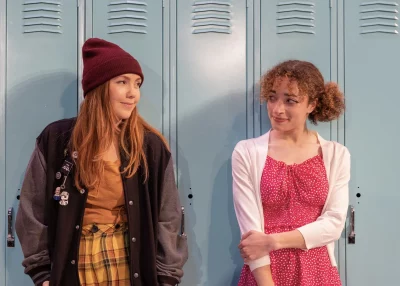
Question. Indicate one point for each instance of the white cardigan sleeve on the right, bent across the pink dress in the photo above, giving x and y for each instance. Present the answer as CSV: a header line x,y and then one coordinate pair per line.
x,y
329,225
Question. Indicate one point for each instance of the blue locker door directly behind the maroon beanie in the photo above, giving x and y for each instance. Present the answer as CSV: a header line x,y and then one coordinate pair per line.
x,y
136,26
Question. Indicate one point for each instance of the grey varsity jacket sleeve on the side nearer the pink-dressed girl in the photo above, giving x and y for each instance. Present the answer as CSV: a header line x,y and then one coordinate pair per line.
x,y
172,246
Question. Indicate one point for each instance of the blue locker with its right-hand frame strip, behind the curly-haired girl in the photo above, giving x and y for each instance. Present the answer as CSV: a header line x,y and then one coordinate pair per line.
x,y
304,30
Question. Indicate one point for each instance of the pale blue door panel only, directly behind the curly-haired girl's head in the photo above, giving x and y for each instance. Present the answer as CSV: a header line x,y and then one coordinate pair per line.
x,y
296,30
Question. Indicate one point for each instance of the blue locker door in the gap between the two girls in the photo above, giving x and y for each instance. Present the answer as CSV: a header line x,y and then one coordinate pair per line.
x,y
211,103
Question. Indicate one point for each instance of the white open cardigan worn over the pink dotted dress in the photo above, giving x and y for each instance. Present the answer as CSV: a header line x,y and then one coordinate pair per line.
x,y
248,160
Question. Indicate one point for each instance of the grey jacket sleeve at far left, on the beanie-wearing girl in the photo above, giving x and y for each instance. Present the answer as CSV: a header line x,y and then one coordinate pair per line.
x,y
29,225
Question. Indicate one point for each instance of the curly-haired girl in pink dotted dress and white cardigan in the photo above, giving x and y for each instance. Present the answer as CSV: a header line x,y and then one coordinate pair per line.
x,y
290,185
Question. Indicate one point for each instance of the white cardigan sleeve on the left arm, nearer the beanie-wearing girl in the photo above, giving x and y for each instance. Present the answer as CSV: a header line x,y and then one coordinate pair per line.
x,y
245,200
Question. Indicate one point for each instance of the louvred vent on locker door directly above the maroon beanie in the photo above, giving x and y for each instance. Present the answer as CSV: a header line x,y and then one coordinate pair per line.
x,y
127,17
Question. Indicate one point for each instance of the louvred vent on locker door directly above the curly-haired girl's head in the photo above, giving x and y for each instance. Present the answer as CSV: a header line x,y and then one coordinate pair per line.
x,y
295,17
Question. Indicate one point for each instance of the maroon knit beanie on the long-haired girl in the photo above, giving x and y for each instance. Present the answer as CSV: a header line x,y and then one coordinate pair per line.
x,y
103,61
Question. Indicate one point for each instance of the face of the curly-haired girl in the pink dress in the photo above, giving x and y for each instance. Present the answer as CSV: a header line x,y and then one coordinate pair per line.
x,y
287,109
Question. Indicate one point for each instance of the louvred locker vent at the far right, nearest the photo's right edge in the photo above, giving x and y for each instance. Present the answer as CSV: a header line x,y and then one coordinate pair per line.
x,y
379,17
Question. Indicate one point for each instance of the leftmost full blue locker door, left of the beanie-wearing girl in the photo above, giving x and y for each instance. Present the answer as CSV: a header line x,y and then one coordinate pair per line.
x,y
41,86
